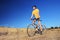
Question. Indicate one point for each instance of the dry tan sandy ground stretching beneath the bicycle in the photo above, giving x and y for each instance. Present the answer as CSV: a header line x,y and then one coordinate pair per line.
x,y
21,34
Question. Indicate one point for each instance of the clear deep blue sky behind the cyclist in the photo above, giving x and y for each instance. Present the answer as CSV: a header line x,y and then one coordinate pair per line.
x,y
16,13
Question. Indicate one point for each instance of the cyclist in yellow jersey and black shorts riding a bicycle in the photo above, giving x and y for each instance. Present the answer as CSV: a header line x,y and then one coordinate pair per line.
x,y
35,14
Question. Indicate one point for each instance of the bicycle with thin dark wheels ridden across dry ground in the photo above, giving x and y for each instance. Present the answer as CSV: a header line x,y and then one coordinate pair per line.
x,y
31,29
